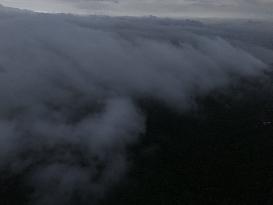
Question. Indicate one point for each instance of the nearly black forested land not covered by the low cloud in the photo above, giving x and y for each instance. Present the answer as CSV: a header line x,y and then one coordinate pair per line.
x,y
218,153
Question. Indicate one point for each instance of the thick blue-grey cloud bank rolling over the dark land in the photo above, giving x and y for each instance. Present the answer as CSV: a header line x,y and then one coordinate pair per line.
x,y
70,87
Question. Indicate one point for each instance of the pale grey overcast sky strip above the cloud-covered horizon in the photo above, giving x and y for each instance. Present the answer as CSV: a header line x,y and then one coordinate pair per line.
x,y
170,8
